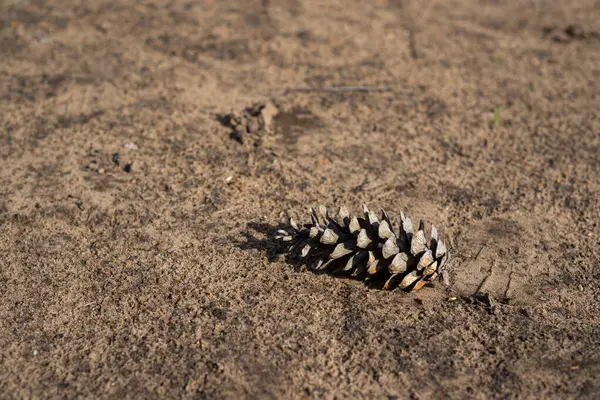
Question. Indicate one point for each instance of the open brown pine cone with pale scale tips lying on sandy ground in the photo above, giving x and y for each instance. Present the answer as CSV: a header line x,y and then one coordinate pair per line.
x,y
367,247
